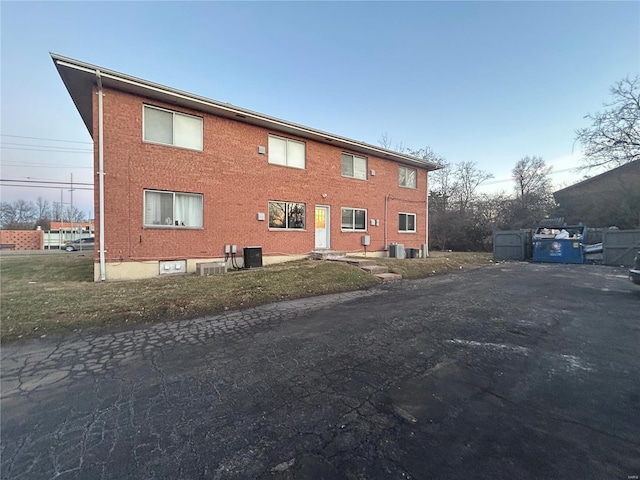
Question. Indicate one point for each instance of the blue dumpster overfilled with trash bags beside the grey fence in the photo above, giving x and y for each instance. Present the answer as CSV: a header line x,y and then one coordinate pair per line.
x,y
549,249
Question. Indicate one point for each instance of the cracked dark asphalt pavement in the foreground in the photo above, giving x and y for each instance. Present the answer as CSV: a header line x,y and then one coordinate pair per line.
x,y
514,371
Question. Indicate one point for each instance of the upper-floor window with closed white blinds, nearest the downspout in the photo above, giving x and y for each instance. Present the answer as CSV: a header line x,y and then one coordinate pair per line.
x,y
172,128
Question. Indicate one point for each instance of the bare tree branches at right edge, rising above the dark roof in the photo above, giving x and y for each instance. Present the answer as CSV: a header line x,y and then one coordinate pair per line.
x,y
614,135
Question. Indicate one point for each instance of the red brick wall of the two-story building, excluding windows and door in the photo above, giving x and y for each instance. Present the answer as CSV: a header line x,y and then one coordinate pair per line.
x,y
237,182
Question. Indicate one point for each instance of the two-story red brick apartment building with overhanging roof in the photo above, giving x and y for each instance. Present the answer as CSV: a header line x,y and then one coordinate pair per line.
x,y
182,176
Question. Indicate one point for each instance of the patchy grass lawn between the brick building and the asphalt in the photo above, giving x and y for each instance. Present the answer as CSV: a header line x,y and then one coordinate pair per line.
x,y
55,294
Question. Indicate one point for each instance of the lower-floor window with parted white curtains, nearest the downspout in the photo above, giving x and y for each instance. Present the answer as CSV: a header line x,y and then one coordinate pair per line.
x,y
170,209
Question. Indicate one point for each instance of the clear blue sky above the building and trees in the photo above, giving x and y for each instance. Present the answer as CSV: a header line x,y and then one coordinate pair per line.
x,y
488,82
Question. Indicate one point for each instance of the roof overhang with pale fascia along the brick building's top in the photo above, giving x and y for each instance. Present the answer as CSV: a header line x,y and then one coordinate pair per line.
x,y
80,78
